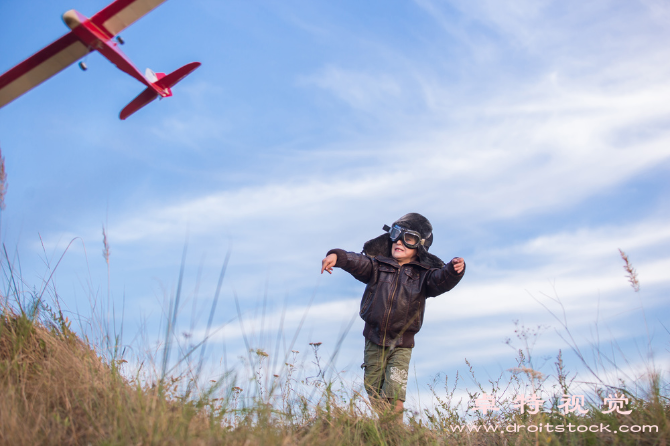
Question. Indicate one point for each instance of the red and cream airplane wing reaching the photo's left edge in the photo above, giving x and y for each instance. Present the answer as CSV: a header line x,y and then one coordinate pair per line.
x,y
40,67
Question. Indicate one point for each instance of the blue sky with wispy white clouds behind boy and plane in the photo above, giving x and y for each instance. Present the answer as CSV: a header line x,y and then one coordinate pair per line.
x,y
533,135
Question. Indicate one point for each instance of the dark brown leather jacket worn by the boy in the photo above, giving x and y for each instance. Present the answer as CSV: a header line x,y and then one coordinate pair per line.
x,y
394,301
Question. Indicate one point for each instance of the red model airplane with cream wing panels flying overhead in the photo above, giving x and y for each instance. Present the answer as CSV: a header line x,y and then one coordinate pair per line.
x,y
96,33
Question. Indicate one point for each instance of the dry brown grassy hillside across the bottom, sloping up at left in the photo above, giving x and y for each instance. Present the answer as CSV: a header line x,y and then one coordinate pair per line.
x,y
57,390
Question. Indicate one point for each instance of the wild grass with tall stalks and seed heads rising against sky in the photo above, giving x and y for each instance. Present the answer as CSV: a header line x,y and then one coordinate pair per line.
x,y
57,388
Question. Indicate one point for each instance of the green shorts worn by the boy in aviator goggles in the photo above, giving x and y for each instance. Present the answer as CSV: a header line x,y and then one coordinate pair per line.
x,y
386,371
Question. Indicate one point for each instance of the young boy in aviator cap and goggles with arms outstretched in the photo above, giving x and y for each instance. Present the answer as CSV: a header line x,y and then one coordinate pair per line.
x,y
400,274
